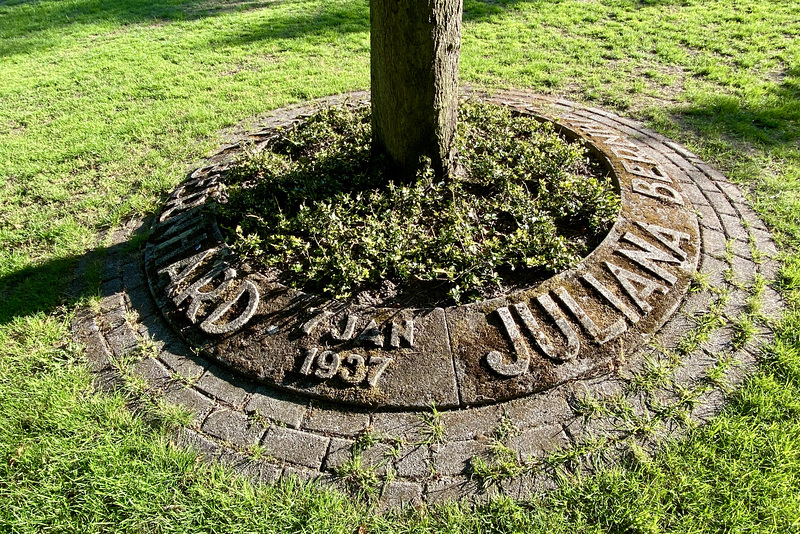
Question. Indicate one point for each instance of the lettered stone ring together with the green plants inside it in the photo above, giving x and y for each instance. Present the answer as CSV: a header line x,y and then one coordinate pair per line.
x,y
312,218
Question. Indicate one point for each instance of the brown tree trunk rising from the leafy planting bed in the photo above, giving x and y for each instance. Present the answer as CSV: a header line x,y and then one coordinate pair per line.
x,y
415,45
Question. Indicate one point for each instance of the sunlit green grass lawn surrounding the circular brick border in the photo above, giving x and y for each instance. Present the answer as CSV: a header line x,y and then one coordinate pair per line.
x,y
105,104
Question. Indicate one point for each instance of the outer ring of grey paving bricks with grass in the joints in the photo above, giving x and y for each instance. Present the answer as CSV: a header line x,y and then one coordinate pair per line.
x,y
513,447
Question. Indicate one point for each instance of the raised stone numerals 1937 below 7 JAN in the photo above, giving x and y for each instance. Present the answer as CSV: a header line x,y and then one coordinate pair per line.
x,y
350,368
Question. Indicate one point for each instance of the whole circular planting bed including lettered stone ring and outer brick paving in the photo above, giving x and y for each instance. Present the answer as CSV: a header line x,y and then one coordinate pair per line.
x,y
416,379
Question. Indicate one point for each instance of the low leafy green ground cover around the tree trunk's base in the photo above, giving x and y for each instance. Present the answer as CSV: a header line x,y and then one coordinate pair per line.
x,y
315,206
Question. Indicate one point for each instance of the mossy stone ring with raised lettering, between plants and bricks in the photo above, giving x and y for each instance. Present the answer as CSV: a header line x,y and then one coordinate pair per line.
x,y
573,325
